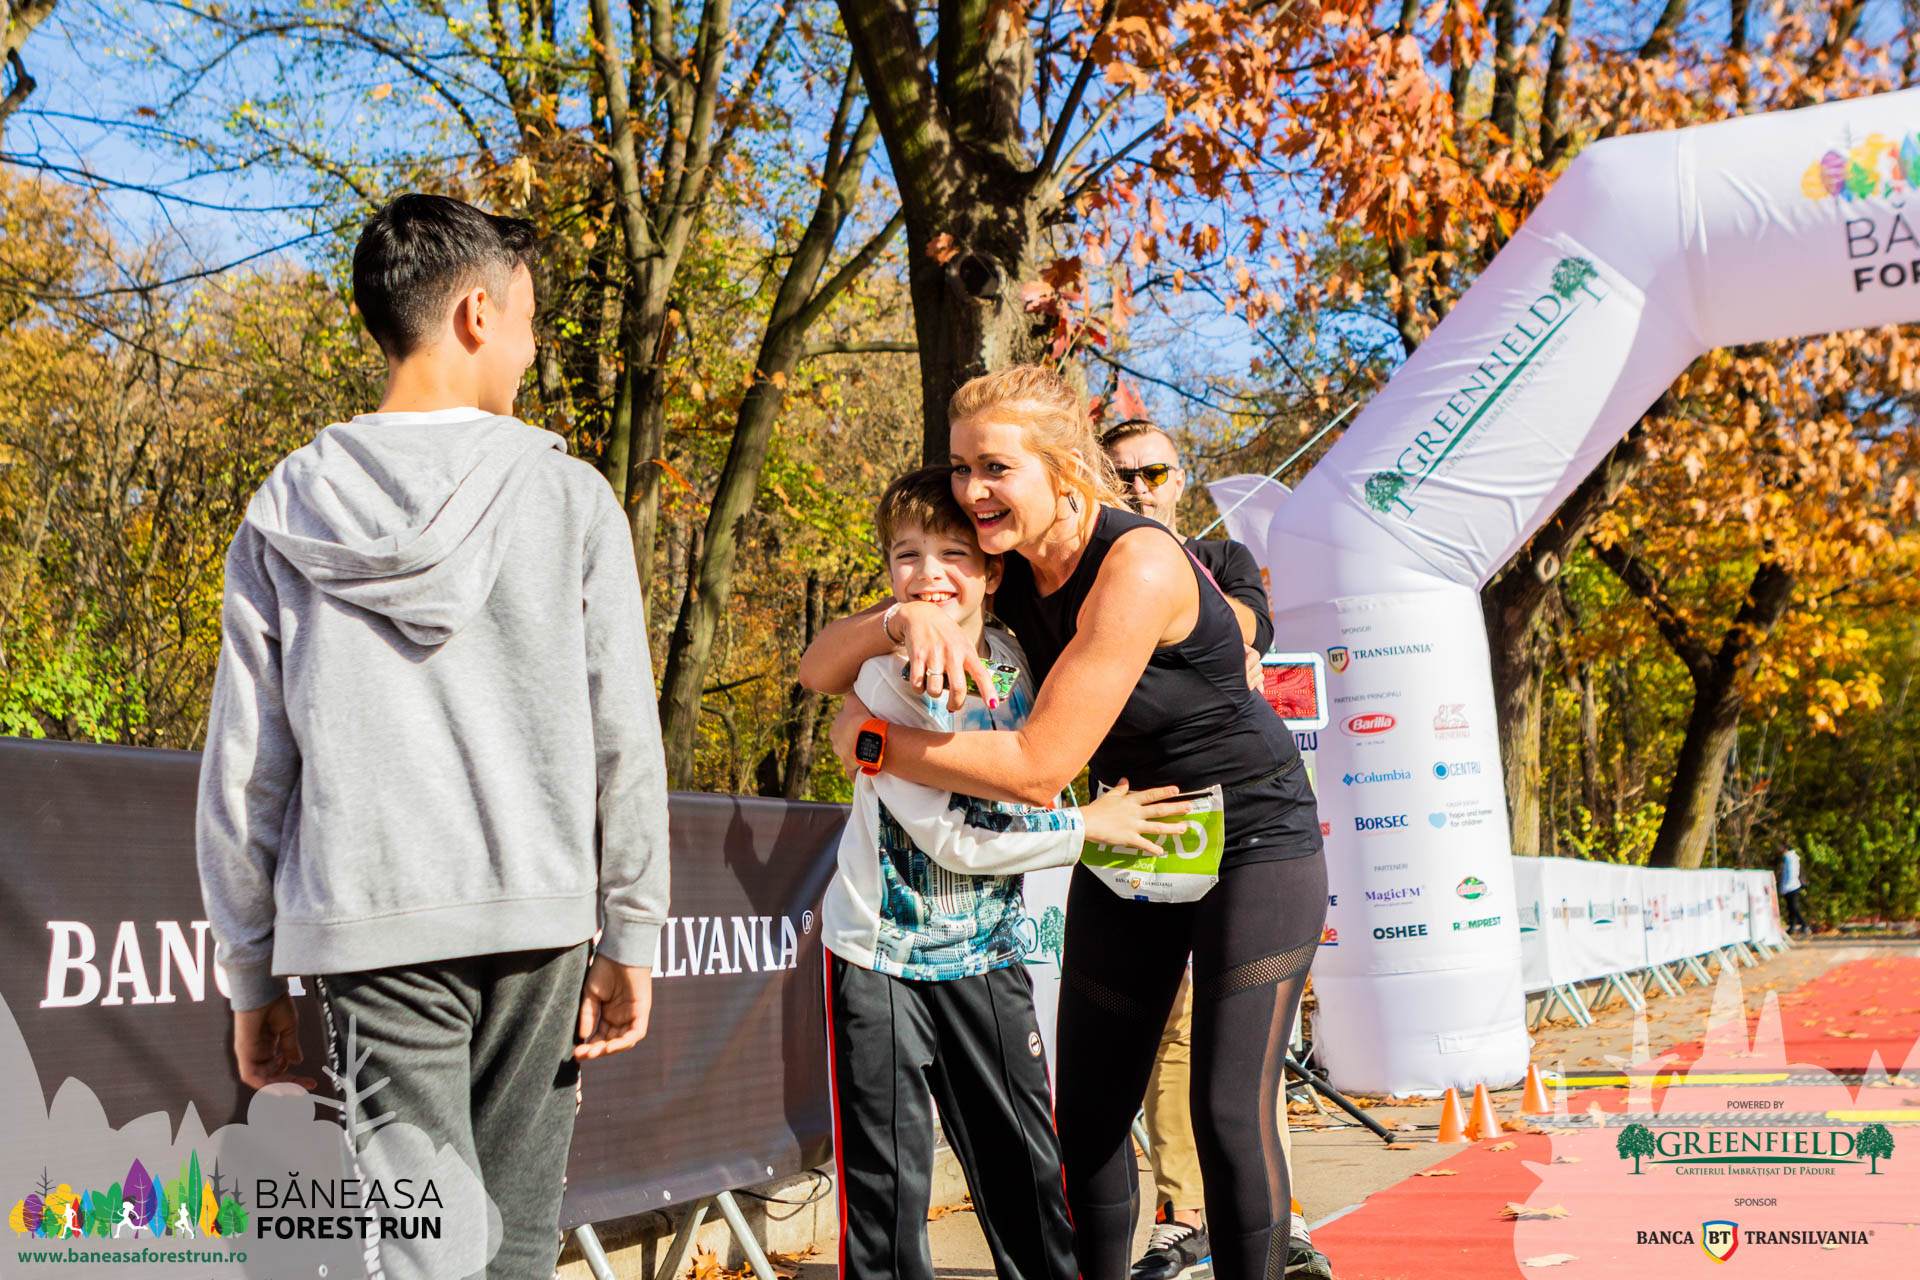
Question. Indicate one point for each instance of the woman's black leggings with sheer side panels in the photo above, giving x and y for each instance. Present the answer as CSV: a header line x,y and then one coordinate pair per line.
x,y
1253,941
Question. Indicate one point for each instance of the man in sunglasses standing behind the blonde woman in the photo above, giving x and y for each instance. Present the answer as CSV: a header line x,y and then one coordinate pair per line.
x,y
1153,479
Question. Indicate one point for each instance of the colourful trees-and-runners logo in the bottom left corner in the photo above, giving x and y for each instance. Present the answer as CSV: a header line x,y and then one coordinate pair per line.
x,y
185,1208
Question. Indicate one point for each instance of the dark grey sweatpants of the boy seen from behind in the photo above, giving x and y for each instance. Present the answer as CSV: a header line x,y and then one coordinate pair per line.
x,y
479,1055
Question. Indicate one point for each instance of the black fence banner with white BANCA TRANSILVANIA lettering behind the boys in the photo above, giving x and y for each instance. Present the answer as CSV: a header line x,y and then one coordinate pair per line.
x,y
108,972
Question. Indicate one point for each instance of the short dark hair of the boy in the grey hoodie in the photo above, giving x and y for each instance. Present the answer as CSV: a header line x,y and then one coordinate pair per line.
x,y
420,252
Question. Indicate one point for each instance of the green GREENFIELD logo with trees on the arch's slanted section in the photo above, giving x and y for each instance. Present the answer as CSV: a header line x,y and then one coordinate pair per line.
x,y
1570,291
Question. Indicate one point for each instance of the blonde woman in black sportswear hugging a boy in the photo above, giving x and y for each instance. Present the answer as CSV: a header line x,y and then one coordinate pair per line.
x,y
1141,676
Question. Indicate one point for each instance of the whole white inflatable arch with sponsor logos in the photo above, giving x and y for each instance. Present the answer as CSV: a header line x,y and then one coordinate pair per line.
x,y
1646,254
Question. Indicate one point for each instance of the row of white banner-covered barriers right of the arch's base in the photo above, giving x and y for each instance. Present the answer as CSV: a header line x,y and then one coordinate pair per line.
x,y
1629,928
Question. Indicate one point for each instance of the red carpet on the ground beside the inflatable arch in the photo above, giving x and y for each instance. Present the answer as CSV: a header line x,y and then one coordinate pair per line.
x,y
1451,1227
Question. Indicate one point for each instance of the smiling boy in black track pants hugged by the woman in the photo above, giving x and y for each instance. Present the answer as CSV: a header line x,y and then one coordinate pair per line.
x,y
926,980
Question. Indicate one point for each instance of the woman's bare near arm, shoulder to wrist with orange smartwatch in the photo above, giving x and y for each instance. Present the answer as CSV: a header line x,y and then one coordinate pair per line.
x,y
1145,598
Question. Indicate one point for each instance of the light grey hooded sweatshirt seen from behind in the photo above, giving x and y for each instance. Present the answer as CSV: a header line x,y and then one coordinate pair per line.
x,y
433,728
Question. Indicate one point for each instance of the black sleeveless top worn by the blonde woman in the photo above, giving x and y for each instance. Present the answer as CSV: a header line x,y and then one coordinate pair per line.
x,y
1191,721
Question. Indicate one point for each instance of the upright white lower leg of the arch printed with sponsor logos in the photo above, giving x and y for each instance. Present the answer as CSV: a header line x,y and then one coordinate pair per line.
x,y
1403,840
